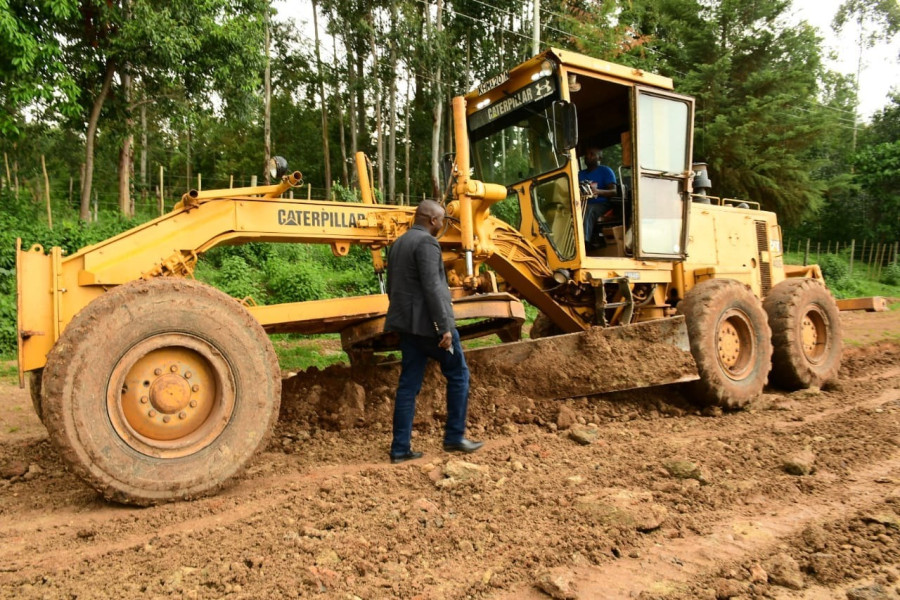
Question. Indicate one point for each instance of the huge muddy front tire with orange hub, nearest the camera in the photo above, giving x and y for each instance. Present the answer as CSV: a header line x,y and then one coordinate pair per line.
x,y
161,390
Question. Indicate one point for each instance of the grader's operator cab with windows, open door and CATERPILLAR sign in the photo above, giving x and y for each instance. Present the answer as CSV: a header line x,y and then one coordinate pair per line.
x,y
523,128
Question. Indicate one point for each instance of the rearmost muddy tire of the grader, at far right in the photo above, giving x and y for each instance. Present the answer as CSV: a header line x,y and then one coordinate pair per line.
x,y
806,334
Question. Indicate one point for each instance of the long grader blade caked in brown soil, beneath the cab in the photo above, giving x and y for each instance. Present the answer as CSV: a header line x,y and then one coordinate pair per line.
x,y
590,362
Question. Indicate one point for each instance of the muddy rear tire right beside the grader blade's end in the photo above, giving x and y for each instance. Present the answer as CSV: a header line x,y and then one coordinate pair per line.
x,y
730,341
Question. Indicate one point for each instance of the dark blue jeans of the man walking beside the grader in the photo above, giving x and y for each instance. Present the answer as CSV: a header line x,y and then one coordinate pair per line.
x,y
416,351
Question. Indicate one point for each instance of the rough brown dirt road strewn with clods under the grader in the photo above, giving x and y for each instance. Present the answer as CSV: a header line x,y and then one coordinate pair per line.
x,y
633,494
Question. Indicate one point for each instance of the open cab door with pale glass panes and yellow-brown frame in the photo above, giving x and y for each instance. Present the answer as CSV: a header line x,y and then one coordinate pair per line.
x,y
663,136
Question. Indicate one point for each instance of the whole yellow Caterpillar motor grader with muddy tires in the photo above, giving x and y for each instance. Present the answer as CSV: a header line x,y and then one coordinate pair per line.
x,y
156,387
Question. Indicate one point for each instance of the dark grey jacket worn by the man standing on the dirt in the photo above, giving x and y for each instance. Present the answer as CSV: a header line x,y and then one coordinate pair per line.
x,y
417,286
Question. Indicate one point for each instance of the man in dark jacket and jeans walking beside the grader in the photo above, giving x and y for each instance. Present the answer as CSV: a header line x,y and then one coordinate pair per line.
x,y
420,311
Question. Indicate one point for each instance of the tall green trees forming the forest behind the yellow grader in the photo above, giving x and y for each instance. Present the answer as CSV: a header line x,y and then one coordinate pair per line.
x,y
113,91
